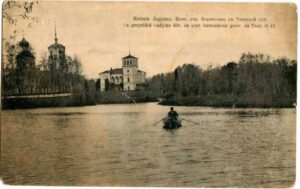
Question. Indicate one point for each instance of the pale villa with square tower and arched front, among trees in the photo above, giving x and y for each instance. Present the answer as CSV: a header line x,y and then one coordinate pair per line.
x,y
127,78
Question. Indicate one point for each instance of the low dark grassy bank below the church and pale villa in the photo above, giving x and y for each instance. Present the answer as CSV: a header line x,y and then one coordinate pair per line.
x,y
80,98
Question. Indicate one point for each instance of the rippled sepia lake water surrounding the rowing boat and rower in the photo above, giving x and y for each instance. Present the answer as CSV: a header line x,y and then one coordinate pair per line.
x,y
117,145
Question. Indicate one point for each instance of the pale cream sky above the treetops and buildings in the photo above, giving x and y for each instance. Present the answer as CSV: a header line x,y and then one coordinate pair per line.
x,y
95,32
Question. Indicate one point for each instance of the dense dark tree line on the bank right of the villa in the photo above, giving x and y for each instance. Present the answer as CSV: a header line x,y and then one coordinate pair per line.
x,y
255,80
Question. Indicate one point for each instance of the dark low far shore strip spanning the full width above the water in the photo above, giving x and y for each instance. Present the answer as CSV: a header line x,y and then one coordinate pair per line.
x,y
135,97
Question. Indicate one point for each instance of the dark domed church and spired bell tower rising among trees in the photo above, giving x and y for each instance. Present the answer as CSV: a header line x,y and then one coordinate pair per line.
x,y
24,77
